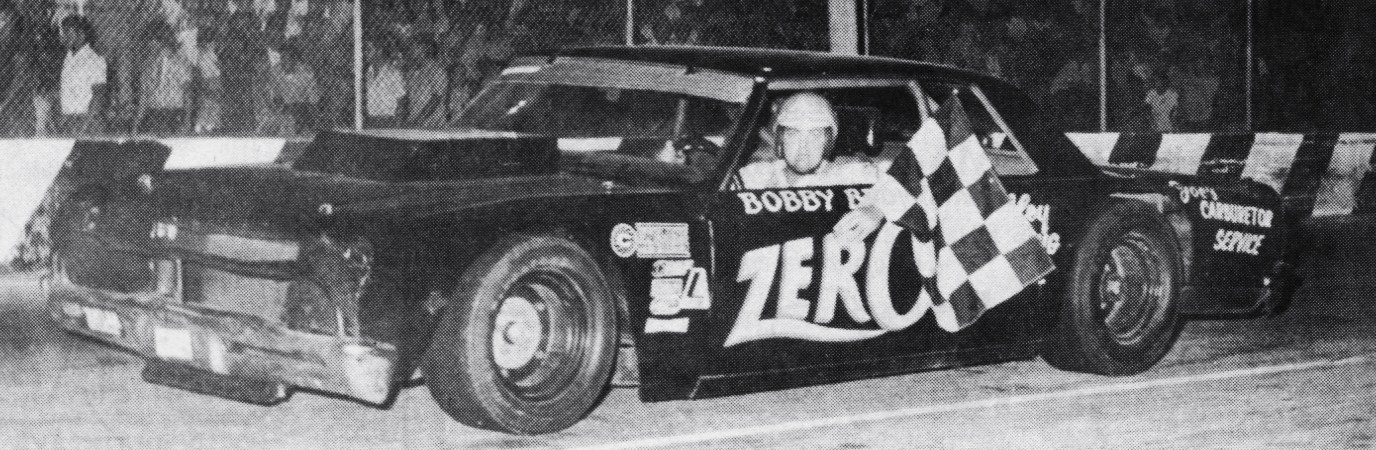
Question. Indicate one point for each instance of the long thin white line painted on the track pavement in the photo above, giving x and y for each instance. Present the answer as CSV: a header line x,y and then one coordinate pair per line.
x,y
976,405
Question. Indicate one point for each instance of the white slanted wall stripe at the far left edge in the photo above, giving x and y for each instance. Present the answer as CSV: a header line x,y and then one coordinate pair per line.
x,y
28,170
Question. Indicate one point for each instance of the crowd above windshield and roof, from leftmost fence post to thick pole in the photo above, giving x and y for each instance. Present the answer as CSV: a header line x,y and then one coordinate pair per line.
x,y
426,58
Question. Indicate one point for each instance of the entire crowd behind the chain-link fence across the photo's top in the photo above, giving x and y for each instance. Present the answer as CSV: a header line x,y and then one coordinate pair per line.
x,y
287,67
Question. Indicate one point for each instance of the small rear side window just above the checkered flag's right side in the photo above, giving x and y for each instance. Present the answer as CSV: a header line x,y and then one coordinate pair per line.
x,y
1005,152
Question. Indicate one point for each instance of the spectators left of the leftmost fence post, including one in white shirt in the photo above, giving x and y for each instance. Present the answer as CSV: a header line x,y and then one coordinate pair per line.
x,y
175,67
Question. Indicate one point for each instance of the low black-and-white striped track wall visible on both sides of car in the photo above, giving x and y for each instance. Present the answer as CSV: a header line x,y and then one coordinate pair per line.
x,y
36,175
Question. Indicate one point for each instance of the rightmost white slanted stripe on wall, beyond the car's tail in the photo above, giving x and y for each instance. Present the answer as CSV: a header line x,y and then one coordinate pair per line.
x,y
1351,163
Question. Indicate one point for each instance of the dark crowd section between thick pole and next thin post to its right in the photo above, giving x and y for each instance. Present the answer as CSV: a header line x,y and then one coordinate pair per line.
x,y
1048,47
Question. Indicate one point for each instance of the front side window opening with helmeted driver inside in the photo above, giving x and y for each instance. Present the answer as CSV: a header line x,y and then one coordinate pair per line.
x,y
872,126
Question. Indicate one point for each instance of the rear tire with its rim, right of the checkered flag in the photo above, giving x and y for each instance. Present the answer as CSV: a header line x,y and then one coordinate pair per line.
x,y
1121,312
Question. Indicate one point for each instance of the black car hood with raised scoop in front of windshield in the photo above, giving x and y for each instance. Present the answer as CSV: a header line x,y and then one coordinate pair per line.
x,y
396,177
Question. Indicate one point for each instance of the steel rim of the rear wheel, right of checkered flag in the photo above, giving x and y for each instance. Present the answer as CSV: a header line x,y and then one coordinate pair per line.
x,y
1133,290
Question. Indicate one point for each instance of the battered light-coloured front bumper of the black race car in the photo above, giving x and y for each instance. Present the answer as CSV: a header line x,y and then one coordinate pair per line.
x,y
233,345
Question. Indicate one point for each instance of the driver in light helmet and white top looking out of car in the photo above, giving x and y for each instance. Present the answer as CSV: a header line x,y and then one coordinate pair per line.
x,y
806,133
